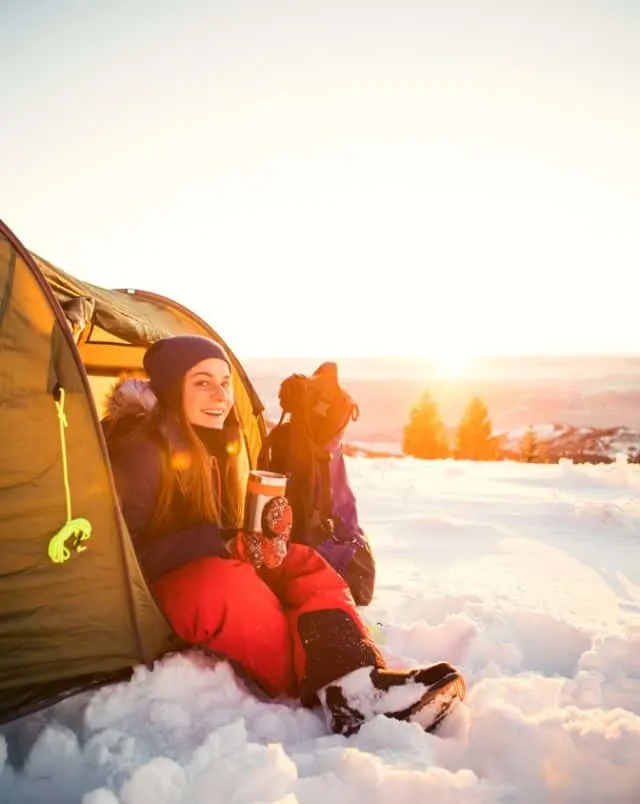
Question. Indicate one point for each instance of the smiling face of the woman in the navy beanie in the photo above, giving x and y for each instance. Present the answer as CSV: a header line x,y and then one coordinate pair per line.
x,y
207,395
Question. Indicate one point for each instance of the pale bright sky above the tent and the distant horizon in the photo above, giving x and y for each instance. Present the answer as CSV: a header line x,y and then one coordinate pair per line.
x,y
424,179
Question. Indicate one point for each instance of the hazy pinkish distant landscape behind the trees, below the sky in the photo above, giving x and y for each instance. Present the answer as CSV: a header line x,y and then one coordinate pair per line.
x,y
584,392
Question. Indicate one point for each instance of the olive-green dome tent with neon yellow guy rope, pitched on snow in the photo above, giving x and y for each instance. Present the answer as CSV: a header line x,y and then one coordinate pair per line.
x,y
74,608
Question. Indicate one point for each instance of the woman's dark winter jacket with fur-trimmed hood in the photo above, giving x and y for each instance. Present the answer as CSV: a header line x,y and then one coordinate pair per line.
x,y
136,458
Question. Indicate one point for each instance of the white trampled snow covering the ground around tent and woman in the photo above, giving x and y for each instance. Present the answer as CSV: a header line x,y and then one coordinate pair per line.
x,y
525,576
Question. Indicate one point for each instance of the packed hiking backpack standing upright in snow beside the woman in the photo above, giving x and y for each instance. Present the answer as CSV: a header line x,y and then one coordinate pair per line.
x,y
306,446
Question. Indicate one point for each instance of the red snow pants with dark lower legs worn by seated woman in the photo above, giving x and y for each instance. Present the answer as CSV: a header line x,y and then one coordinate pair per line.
x,y
254,618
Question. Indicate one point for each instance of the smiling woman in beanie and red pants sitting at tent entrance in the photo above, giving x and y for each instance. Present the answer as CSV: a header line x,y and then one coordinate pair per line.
x,y
277,610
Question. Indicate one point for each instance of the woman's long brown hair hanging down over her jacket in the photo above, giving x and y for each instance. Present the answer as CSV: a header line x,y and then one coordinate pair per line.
x,y
196,475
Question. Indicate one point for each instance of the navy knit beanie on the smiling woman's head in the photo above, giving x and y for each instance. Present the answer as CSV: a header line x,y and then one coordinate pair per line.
x,y
167,361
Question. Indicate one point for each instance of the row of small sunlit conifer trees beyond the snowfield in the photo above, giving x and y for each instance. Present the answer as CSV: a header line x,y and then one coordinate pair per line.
x,y
425,435
